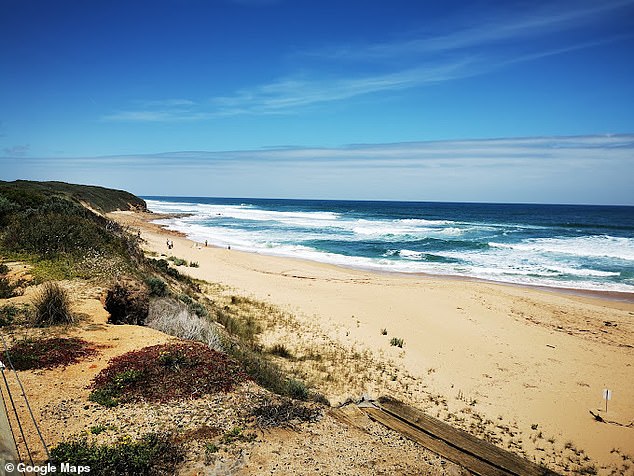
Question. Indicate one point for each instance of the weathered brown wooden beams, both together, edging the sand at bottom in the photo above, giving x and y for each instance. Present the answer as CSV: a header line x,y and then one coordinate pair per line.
x,y
476,455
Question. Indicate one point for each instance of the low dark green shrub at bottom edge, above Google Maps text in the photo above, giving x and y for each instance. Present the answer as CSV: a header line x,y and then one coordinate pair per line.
x,y
153,454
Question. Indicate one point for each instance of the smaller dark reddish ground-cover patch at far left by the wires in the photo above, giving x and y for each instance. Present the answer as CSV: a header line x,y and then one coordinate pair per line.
x,y
30,354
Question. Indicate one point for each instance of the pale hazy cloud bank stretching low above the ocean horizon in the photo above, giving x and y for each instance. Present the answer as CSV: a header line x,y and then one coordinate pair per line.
x,y
586,169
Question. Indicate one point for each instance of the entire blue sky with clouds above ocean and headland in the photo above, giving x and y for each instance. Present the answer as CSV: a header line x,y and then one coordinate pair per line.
x,y
509,101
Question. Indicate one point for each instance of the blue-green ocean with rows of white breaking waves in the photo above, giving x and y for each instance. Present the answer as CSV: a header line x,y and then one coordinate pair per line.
x,y
566,246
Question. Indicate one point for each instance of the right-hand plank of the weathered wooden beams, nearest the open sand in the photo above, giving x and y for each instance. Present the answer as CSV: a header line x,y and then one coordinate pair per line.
x,y
462,440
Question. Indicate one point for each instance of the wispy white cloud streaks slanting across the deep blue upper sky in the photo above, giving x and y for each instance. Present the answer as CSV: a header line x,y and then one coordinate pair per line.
x,y
419,60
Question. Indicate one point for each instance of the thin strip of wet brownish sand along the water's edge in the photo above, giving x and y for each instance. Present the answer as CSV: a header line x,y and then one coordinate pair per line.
x,y
618,296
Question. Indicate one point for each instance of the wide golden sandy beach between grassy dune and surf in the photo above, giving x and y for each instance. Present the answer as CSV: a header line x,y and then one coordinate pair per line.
x,y
522,365
